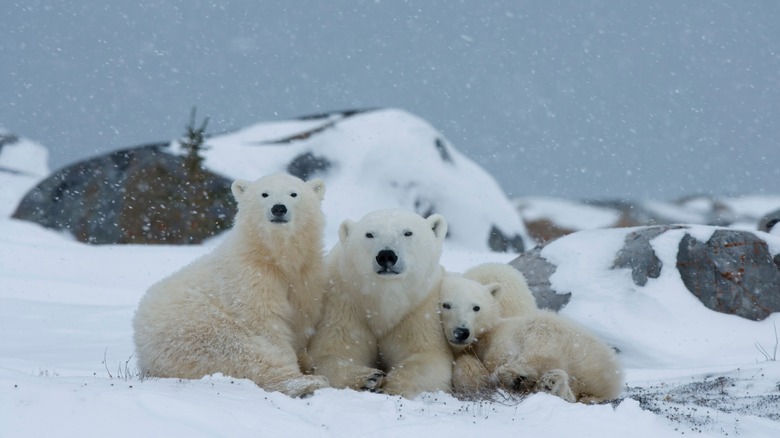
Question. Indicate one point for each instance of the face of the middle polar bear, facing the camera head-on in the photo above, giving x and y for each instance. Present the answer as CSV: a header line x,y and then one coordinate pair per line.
x,y
391,244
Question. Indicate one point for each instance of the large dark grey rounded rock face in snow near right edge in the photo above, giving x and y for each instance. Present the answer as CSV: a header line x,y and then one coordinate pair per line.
x,y
733,273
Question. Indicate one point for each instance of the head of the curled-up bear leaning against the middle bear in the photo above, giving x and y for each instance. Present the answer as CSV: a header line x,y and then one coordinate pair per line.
x,y
468,309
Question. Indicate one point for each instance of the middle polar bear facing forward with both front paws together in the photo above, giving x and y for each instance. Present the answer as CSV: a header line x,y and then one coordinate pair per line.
x,y
381,329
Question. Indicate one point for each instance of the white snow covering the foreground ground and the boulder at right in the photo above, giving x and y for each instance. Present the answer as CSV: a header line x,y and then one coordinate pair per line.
x,y
67,368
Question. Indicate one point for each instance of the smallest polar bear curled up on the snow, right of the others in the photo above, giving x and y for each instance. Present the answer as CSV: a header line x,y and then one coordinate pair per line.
x,y
535,351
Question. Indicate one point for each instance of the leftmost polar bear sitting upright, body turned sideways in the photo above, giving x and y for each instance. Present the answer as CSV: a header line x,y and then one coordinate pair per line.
x,y
248,308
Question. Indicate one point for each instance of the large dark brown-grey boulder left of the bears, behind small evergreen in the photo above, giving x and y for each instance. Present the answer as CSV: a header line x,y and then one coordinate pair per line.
x,y
141,195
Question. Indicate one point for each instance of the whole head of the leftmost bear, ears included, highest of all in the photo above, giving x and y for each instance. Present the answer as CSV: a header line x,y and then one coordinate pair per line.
x,y
279,203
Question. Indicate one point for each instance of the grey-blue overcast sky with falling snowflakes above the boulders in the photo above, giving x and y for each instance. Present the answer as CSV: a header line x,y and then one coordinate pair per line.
x,y
580,98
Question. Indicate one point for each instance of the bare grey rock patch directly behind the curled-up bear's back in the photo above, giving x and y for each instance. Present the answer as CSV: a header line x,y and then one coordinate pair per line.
x,y
537,272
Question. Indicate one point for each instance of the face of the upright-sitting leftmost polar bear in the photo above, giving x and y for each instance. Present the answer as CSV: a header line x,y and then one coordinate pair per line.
x,y
280,200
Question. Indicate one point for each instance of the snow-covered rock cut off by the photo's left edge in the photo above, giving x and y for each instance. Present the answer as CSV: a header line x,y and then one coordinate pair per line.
x,y
23,163
